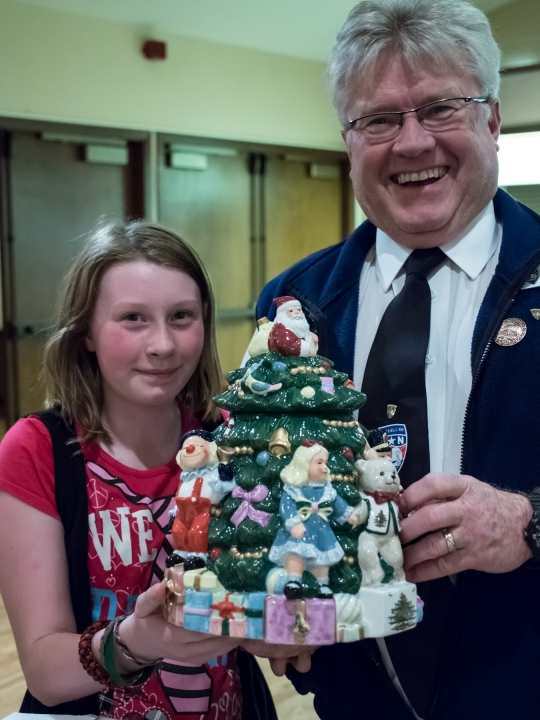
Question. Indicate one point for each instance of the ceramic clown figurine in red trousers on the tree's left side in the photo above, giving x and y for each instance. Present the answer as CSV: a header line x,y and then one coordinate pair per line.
x,y
203,482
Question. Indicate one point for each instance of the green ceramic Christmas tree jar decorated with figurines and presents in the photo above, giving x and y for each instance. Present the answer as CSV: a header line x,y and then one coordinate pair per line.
x,y
283,543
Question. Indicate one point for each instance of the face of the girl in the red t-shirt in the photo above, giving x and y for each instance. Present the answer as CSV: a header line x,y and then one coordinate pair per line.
x,y
147,332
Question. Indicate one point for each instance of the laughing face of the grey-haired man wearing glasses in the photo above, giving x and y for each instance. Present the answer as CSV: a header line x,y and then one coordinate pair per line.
x,y
432,212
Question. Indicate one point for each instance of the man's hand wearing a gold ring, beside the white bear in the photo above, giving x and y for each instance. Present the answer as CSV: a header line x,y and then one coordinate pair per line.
x,y
486,524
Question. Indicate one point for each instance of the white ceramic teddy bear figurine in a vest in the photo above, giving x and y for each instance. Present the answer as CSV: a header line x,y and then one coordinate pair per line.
x,y
379,489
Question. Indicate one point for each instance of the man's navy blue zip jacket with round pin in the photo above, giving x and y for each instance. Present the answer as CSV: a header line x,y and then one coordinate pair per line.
x,y
492,667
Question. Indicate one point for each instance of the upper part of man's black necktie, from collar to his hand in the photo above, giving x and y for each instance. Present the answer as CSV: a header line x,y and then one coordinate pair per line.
x,y
396,368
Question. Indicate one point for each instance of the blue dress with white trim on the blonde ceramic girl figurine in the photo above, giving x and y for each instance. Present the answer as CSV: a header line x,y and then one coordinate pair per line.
x,y
313,505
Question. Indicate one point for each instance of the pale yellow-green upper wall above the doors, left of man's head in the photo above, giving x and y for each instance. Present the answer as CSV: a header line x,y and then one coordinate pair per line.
x,y
62,67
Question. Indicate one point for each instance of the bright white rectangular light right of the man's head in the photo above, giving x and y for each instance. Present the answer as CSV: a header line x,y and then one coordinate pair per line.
x,y
519,159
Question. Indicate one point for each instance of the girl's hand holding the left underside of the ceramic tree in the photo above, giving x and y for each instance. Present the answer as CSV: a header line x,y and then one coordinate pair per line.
x,y
149,636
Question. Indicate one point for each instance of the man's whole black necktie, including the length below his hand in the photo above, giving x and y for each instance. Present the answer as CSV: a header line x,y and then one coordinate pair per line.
x,y
396,375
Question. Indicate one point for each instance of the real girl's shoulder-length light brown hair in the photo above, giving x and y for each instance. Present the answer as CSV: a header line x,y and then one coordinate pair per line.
x,y
70,371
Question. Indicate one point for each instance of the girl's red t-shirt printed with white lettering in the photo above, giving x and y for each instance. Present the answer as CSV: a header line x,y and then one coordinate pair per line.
x,y
128,514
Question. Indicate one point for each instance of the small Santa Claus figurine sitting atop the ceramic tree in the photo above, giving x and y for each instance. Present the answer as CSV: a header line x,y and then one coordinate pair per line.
x,y
291,334
